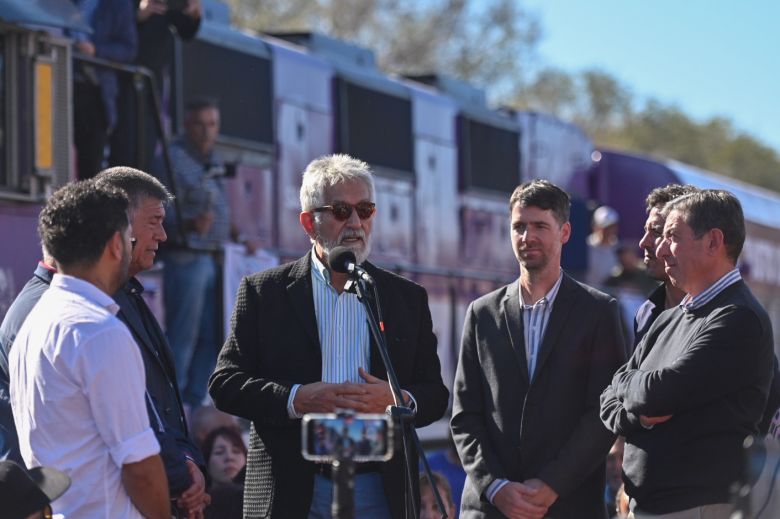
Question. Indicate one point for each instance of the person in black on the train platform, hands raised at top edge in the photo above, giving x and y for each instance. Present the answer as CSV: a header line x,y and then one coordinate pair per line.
x,y
158,25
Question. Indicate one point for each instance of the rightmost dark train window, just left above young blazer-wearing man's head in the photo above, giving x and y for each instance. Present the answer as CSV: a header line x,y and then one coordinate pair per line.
x,y
489,156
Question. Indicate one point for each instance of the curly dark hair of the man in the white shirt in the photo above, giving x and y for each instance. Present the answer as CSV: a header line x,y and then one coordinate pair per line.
x,y
79,220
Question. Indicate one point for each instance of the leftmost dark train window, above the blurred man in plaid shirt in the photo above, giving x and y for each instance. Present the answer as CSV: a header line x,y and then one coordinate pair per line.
x,y
245,100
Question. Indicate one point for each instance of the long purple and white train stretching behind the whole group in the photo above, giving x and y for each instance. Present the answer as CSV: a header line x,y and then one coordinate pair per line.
x,y
445,161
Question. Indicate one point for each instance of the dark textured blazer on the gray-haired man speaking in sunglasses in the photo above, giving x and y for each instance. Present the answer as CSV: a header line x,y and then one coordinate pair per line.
x,y
274,344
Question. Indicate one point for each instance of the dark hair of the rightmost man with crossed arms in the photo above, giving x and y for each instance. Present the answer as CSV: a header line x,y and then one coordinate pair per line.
x,y
708,209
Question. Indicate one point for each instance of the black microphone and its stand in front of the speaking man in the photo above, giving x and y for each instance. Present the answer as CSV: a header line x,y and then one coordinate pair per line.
x,y
402,412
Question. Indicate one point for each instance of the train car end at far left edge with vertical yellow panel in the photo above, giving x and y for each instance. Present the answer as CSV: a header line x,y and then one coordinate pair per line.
x,y
35,127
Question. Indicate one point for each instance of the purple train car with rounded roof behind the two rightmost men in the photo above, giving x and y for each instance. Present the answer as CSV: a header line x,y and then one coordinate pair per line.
x,y
623,180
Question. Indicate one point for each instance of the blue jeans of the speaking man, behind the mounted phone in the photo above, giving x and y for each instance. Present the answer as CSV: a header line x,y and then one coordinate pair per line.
x,y
370,500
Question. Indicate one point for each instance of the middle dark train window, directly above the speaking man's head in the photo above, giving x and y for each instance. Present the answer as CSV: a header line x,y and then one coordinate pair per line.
x,y
376,127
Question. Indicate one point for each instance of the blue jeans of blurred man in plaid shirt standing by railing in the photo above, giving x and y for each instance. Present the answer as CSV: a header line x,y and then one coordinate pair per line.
x,y
190,295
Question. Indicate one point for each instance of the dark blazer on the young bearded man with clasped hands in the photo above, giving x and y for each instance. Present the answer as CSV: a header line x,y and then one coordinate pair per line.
x,y
506,426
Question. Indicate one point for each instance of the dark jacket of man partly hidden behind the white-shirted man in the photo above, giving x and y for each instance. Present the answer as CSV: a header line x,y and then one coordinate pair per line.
x,y
161,383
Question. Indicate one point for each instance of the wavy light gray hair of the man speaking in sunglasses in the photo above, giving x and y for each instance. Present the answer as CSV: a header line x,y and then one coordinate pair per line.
x,y
331,170
